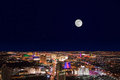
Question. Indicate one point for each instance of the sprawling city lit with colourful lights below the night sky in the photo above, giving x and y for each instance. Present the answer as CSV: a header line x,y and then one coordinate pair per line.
x,y
60,65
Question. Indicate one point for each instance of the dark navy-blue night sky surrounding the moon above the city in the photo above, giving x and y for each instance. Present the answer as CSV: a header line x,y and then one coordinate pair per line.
x,y
49,25
